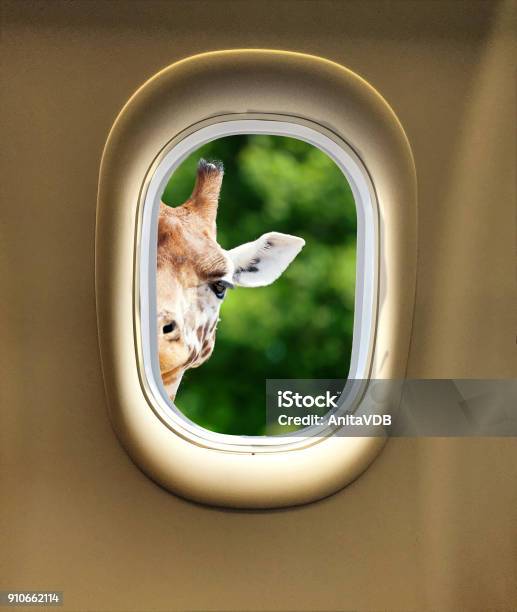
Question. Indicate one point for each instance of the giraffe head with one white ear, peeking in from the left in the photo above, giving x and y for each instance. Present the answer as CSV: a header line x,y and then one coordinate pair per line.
x,y
194,272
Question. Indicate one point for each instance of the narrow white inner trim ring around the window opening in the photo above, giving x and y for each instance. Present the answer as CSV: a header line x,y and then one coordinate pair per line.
x,y
366,275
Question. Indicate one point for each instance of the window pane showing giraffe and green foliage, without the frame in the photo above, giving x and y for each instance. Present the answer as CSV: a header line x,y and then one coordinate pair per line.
x,y
291,311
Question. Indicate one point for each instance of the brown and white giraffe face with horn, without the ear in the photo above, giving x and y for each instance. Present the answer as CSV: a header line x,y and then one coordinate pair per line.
x,y
189,261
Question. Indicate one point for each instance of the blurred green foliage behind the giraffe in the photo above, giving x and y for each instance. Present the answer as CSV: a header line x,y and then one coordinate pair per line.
x,y
301,325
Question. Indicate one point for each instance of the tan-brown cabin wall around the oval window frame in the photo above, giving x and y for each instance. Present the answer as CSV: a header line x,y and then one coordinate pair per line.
x,y
431,525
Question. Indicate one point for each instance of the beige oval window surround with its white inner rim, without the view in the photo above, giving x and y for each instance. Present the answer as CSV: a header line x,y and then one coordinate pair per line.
x,y
184,106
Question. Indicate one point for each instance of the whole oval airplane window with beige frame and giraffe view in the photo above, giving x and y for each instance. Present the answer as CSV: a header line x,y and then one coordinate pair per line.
x,y
256,225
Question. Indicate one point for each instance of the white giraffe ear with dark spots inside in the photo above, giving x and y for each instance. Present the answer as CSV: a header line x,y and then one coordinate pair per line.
x,y
261,262
